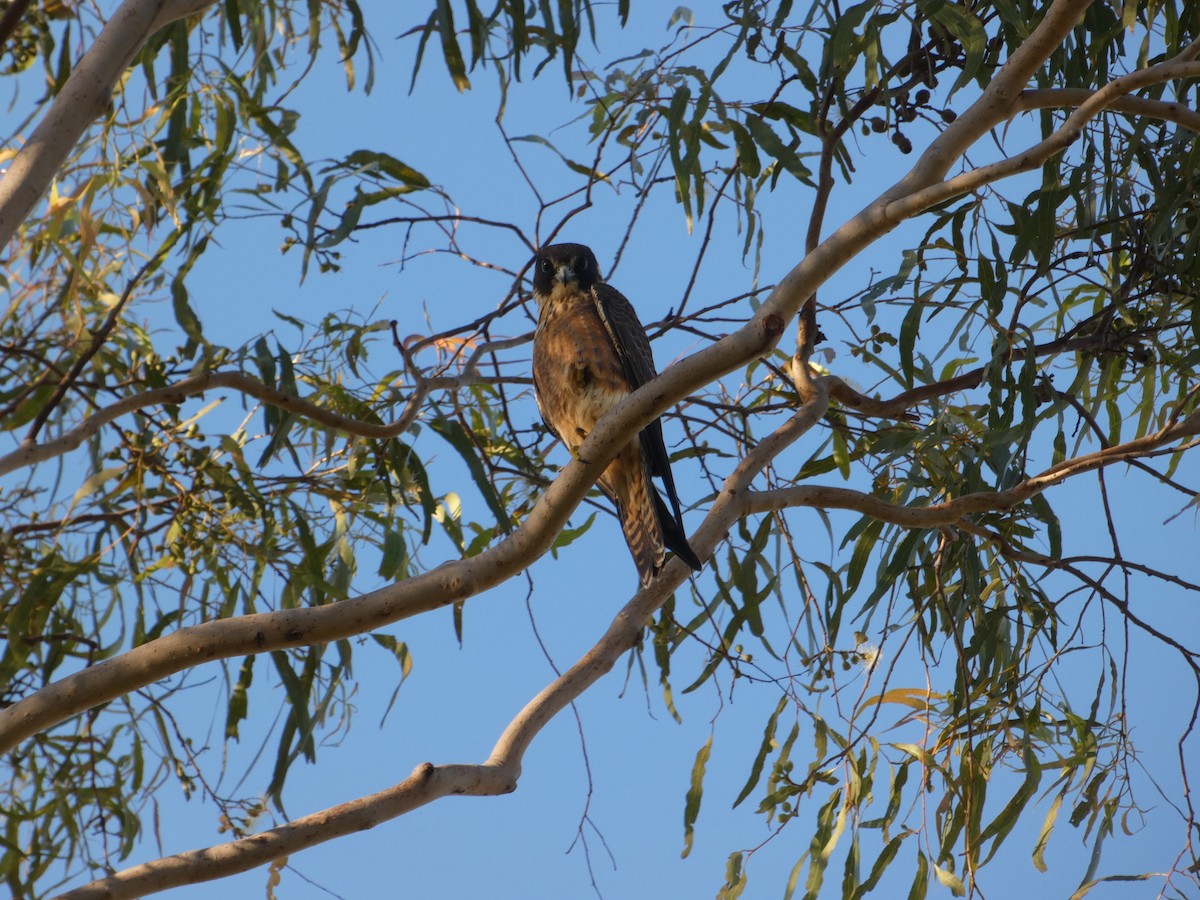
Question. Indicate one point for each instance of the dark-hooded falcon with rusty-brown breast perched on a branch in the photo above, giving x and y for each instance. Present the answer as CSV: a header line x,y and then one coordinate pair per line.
x,y
590,352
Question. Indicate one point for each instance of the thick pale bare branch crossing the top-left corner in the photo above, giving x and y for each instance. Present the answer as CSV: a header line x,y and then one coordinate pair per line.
x,y
83,99
